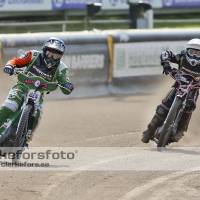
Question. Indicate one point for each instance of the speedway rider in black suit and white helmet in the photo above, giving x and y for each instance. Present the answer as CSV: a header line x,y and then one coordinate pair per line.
x,y
189,62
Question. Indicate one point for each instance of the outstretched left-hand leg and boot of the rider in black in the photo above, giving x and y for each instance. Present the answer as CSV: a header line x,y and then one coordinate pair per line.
x,y
160,115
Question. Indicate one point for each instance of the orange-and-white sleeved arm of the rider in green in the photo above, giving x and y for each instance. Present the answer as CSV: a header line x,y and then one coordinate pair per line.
x,y
23,60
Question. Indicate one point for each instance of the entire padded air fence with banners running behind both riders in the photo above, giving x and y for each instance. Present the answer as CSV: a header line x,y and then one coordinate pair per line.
x,y
107,62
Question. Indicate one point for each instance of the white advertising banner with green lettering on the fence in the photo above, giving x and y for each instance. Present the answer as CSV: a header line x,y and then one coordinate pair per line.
x,y
141,58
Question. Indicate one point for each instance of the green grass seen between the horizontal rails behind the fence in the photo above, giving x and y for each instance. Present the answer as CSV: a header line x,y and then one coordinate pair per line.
x,y
80,27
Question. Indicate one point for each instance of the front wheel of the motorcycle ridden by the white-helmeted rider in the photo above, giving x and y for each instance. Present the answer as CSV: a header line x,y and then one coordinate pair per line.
x,y
167,127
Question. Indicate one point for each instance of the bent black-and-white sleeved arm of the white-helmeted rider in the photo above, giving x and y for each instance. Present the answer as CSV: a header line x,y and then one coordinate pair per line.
x,y
169,56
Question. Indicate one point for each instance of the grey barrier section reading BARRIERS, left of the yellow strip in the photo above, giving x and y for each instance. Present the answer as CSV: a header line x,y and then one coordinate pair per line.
x,y
86,56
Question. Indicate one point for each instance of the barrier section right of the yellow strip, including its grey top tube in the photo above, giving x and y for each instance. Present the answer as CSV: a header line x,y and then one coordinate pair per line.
x,y
137,52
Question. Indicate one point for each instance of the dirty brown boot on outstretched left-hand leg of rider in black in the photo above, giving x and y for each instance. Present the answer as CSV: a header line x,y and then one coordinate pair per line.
x,y
152,126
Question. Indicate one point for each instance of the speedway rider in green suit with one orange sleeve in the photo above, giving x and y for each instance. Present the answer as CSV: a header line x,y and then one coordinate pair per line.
x,y
46,64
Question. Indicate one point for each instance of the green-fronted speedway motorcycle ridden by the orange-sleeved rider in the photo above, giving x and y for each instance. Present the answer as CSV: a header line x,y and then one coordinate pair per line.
x,y
16,132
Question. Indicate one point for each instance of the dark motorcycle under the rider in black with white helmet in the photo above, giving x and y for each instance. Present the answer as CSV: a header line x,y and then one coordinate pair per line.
x,y
169,127
